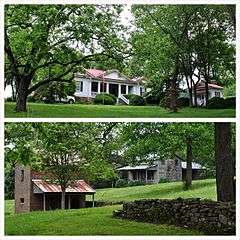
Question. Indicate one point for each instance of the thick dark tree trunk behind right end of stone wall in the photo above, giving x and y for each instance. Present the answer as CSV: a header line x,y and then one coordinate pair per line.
x,y
224,163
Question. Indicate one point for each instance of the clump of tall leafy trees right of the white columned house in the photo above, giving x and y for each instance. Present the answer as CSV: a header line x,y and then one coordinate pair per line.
x,y
191,43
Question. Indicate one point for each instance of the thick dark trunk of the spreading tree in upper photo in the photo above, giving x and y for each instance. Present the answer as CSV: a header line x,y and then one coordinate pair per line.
x,y
21,96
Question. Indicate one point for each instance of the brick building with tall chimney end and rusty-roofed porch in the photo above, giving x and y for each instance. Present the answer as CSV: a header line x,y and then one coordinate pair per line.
x,y
34,193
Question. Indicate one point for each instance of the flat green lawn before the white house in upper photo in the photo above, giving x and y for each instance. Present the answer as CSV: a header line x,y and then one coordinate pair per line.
x,y
100,111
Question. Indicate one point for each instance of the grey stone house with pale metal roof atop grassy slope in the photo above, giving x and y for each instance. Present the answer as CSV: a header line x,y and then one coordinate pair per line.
x,y
170,170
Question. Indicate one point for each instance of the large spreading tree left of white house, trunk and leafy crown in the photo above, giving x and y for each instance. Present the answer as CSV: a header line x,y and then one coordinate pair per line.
x,y
57,39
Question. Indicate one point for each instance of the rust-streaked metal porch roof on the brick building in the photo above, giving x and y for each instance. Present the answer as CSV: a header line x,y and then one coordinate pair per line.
x,y
79,186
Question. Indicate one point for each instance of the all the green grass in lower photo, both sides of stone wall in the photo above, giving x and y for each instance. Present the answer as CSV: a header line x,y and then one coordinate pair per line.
x,y
99,221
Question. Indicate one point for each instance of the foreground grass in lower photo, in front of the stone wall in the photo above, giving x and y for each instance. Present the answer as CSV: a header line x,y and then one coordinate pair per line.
x,y
88,221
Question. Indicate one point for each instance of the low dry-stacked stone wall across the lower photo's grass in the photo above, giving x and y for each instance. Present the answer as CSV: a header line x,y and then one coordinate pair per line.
x,y
210,217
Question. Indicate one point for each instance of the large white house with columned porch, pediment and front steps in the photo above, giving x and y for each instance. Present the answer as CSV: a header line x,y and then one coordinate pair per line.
x,y
95,81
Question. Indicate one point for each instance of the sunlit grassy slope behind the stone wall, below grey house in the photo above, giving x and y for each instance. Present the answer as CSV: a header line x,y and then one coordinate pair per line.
x,y
201,188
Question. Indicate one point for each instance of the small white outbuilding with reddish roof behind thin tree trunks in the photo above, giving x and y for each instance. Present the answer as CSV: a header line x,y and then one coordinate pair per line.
x,y
214,90
